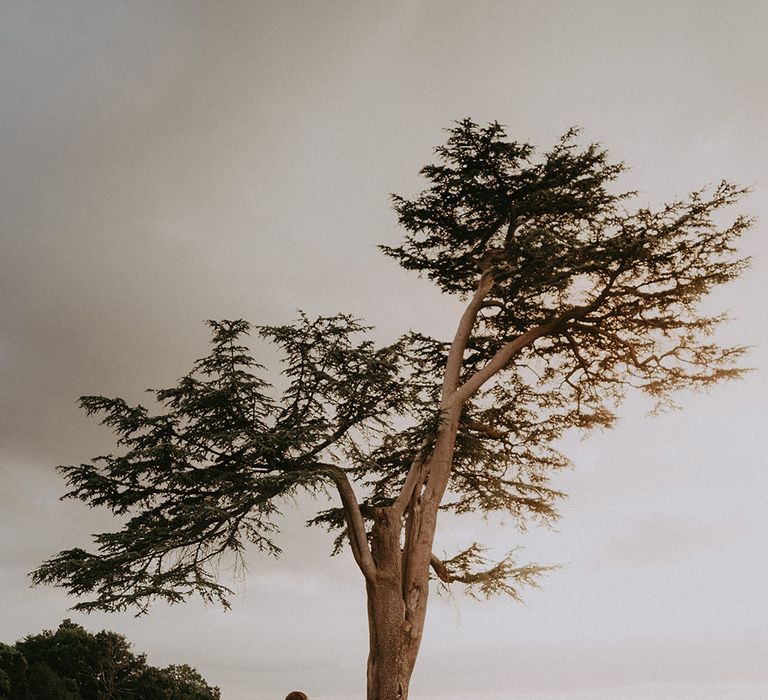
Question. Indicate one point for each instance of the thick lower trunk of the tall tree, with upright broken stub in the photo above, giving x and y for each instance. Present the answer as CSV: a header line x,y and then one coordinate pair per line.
x,y
395,612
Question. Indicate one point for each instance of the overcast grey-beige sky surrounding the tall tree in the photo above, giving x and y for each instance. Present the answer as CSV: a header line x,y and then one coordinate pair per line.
x,y
168,162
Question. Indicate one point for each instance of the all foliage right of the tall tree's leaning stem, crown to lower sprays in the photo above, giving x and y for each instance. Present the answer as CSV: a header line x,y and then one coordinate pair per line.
x,y
617,289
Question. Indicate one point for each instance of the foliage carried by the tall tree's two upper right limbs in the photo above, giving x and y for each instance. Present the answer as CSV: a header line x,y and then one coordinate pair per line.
x,y
558,244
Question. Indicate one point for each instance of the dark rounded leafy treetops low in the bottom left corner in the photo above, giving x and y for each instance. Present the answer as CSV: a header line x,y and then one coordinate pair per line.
x,y
74,664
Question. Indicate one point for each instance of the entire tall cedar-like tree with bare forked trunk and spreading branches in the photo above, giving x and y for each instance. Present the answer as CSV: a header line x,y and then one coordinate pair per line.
x,y
571,300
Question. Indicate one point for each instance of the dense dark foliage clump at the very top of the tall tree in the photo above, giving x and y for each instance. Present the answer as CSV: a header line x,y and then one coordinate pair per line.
x,y
489,196
